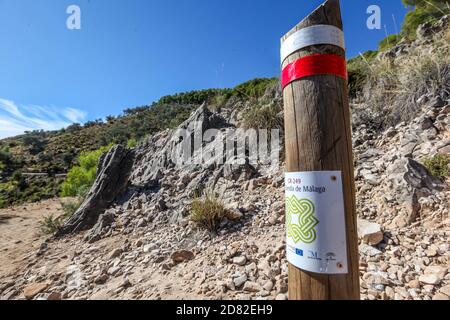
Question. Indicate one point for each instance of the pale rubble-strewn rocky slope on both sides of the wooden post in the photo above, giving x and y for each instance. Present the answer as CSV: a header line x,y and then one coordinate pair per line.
x,y
134,237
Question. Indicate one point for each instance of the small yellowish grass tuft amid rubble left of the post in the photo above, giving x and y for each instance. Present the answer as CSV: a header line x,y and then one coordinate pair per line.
x,y
207,211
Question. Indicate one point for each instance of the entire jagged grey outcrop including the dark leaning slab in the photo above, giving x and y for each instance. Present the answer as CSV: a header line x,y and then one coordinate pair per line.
x,y
159,178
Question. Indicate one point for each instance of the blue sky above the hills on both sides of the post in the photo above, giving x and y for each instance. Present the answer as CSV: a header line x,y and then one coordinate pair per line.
x,y
131,52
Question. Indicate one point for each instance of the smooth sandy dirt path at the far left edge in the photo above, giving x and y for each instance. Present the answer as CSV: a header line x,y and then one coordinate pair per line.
x,y
20,234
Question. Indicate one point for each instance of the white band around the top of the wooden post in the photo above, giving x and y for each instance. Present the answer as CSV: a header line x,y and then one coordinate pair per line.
x,y
310,36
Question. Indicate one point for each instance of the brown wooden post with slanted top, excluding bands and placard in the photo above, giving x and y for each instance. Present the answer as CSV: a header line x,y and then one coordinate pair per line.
x,y
318,138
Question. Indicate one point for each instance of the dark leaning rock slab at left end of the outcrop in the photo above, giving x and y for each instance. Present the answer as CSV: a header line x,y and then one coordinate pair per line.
x,y
112,180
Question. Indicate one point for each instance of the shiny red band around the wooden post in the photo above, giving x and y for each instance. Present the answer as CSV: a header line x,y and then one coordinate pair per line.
x,y
317,64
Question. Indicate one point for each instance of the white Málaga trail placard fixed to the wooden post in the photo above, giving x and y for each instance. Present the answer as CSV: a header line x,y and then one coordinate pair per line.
x,y
315,222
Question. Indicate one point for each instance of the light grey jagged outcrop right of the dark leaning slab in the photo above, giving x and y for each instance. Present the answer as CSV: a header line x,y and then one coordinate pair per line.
x,y
170,169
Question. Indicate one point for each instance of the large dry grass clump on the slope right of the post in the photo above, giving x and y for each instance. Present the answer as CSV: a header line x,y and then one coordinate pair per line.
x,y
395,85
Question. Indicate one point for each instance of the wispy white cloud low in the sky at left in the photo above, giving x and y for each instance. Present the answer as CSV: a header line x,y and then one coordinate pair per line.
x,y
15,119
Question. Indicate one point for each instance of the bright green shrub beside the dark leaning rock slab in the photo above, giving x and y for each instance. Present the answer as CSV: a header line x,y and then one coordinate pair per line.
x,y
81,177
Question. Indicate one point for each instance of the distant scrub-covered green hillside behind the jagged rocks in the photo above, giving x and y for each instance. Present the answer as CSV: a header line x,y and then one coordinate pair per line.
x,y
33,165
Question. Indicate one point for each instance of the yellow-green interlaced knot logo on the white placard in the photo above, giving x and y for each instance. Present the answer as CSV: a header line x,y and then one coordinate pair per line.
x,y
304,229
